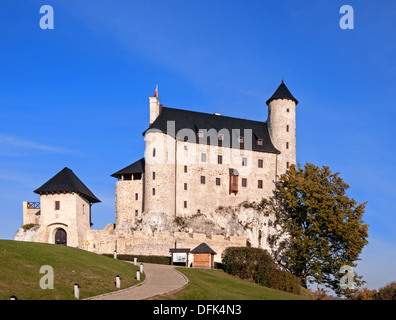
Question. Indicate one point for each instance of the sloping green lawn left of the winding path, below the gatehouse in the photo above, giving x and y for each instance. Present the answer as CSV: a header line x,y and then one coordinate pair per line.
x,y
20,264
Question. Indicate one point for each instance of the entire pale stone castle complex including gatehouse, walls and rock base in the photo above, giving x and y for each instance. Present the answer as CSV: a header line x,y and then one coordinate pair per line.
x,y
196,166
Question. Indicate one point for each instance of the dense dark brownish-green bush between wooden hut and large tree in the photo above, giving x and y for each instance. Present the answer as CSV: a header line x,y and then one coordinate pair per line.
x,y
259,266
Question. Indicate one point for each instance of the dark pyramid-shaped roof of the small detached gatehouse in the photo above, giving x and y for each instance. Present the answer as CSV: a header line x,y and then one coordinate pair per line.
x,y
67,181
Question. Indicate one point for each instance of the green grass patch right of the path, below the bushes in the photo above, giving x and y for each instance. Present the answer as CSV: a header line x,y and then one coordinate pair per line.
x,y
207,284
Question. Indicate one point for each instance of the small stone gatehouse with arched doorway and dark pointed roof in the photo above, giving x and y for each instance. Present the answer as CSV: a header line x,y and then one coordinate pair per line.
x,y
63,215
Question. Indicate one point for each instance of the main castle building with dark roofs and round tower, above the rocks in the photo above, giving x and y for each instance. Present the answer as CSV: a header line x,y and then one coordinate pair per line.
x,y
196,162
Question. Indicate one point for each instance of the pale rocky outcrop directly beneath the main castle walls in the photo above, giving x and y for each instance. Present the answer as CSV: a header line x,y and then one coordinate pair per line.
x,y
247,219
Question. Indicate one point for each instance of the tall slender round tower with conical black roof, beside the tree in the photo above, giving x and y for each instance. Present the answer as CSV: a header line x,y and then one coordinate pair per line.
x,y
282,126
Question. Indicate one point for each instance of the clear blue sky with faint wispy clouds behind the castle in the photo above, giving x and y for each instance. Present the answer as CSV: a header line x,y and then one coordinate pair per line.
x,y
77,96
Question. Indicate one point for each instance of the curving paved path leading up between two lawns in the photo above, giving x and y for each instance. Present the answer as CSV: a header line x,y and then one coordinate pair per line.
x,y
160,279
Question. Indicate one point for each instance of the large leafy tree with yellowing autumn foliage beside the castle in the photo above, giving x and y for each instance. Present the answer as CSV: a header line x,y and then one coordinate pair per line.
x,y
324,226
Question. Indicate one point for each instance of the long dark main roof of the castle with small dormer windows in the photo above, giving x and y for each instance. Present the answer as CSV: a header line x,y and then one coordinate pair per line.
x,y
196,121
